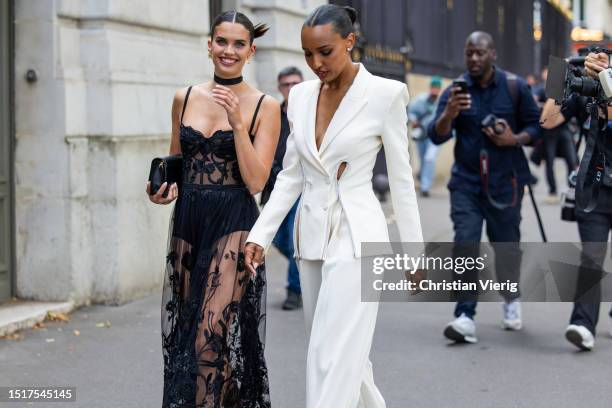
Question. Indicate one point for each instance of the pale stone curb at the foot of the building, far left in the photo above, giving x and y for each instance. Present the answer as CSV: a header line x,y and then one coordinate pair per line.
x,y
21,314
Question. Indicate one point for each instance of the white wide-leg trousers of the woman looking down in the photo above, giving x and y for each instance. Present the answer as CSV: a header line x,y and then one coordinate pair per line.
x,y
340,326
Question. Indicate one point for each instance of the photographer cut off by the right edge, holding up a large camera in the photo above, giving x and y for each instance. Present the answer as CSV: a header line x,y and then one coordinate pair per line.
x,y
594,221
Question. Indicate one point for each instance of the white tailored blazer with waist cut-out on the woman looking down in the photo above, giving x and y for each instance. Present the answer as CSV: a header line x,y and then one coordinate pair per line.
x,y
371,114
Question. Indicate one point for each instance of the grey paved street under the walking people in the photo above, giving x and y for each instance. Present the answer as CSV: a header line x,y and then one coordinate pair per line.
x,y
119,364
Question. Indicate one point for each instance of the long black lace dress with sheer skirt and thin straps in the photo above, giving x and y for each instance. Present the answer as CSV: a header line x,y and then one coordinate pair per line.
x,y
213,313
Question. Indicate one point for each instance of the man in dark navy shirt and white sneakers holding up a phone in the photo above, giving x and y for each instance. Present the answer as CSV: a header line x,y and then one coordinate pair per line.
x,y
493,114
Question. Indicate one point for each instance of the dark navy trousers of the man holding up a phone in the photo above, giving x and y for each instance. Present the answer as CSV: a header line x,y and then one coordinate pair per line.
x,y
468,211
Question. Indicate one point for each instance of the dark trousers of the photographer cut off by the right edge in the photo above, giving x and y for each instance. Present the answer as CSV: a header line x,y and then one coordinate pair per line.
x,y
594,227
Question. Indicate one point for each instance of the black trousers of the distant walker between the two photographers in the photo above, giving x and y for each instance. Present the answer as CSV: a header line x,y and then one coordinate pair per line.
x,y
560,141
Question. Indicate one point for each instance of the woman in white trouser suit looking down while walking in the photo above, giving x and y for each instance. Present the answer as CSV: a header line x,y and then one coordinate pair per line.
x,y
339,123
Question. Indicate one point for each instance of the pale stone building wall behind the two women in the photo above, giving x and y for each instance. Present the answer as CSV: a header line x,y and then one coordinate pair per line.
x,y
92,86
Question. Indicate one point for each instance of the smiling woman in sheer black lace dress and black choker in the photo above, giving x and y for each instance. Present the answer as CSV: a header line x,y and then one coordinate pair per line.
x,y
213,318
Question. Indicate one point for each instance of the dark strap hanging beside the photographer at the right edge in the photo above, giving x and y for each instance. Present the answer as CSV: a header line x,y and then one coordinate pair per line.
x,y
592,168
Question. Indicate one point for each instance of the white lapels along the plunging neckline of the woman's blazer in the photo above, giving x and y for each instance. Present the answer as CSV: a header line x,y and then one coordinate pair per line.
x,y
349,107
